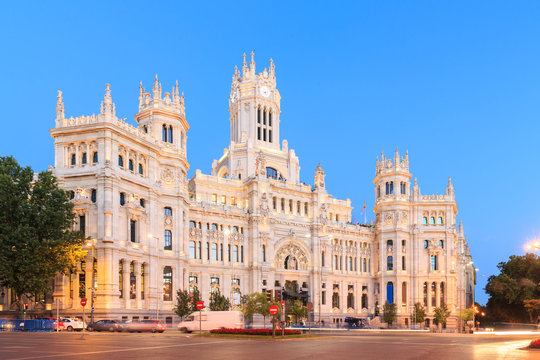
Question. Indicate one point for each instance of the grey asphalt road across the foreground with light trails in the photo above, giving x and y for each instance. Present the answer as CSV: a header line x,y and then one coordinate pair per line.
x,y
173,345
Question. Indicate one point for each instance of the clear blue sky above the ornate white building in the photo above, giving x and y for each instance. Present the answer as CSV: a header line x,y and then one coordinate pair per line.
x,y
455,83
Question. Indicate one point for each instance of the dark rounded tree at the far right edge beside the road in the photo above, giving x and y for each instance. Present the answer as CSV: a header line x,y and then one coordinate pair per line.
x,y
517,282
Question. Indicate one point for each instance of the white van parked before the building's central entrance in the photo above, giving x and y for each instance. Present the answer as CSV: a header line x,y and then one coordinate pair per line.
x,y
212,320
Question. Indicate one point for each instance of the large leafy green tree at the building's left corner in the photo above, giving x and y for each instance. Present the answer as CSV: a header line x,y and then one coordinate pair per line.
x,y
36,236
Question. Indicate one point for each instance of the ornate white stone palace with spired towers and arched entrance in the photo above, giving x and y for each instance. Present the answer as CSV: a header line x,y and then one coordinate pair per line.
x,y
250,225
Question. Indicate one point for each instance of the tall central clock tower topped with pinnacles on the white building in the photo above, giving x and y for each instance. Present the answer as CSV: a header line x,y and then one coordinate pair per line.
x,y
254,107
